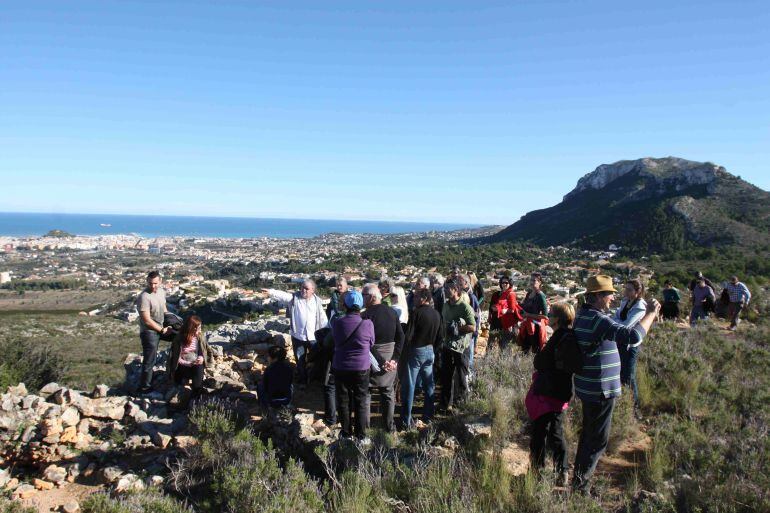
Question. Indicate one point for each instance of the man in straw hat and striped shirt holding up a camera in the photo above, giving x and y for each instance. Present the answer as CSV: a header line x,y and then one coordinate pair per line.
x,y
598,383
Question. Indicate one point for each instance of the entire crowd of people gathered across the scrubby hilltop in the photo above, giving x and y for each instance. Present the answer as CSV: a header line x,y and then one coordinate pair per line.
x,y
382,341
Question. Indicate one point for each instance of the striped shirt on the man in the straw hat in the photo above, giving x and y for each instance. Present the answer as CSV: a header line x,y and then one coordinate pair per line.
x,y
599,336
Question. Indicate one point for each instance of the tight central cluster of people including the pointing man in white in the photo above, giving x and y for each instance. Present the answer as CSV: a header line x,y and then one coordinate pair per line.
x,y
380,341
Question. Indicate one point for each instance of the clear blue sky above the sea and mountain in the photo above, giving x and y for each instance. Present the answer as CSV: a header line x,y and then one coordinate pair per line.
x,y
439,111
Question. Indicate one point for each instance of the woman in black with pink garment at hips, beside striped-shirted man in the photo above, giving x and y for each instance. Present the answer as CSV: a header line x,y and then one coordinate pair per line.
x,y
549,395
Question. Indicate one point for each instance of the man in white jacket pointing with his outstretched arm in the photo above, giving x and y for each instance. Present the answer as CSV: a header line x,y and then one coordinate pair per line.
x,y
306,315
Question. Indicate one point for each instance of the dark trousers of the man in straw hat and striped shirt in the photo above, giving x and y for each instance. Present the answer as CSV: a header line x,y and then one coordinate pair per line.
x,y
597,420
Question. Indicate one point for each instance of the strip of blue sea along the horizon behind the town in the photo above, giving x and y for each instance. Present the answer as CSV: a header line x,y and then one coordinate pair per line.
x,y
28,224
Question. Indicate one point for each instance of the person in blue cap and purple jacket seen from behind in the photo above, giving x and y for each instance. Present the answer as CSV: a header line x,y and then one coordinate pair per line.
x,y
353,340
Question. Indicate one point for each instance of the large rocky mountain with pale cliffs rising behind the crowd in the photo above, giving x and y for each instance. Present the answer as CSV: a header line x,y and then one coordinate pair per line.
x,y
652,204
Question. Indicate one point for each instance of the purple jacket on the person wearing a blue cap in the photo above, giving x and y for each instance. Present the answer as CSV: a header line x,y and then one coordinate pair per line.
x,y
352,354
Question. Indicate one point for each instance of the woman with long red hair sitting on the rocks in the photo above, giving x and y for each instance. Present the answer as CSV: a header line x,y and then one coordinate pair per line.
x,y
190,353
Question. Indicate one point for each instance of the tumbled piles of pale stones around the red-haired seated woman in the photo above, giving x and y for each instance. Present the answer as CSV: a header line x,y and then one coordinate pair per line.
x,y
109,435
